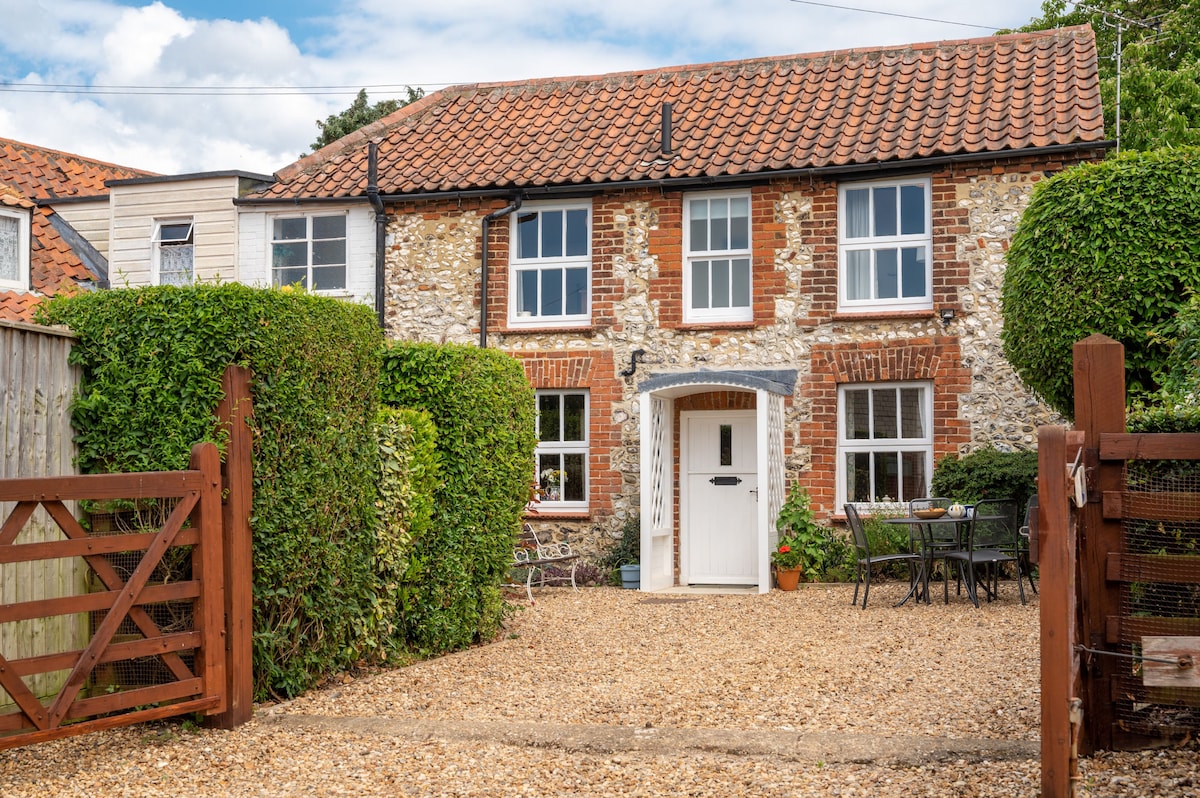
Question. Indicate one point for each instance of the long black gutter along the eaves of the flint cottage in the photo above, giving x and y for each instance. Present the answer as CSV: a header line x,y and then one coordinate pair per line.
x,y
579,190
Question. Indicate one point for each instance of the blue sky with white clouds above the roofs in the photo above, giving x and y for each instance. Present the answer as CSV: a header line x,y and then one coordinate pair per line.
x,y
197,86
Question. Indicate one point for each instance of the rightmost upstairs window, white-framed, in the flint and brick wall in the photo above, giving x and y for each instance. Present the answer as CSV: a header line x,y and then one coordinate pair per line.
x,y
885,245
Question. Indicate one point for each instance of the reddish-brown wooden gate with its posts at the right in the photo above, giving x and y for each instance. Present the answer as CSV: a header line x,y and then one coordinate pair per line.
x,y
1119,542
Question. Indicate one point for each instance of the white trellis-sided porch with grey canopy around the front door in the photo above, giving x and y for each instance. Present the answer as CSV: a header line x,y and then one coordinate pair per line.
x,y
658,394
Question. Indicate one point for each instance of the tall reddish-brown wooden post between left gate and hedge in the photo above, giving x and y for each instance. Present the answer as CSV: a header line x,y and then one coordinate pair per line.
x,y
233,416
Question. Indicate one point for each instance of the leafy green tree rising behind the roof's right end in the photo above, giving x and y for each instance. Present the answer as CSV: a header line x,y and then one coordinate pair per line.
x,y
1160,46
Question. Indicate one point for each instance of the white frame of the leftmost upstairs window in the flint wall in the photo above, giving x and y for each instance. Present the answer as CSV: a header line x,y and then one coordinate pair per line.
x,y
543,267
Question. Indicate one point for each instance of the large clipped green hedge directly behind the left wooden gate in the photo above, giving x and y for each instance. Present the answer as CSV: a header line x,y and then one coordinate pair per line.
x,y
153,361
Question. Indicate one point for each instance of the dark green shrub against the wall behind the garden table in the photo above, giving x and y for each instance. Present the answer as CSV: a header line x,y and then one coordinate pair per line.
x,y
987,475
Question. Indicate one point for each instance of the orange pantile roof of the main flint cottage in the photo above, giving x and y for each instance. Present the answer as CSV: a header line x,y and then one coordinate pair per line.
x,y
753,118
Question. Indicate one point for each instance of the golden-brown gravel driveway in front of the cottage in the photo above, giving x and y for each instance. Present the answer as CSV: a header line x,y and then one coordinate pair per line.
x,y
617,693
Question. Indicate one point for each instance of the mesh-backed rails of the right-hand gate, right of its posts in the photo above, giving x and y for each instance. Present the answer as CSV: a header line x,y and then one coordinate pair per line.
x,y
1163,598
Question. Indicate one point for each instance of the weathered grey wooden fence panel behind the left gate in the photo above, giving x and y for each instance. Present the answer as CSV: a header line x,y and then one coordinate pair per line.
x,y
37,440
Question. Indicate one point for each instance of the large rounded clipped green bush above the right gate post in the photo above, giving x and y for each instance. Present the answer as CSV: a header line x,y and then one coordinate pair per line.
x,y
1108,248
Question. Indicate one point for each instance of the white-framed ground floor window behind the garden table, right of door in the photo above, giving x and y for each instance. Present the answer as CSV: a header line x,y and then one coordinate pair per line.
x,y
885,442
